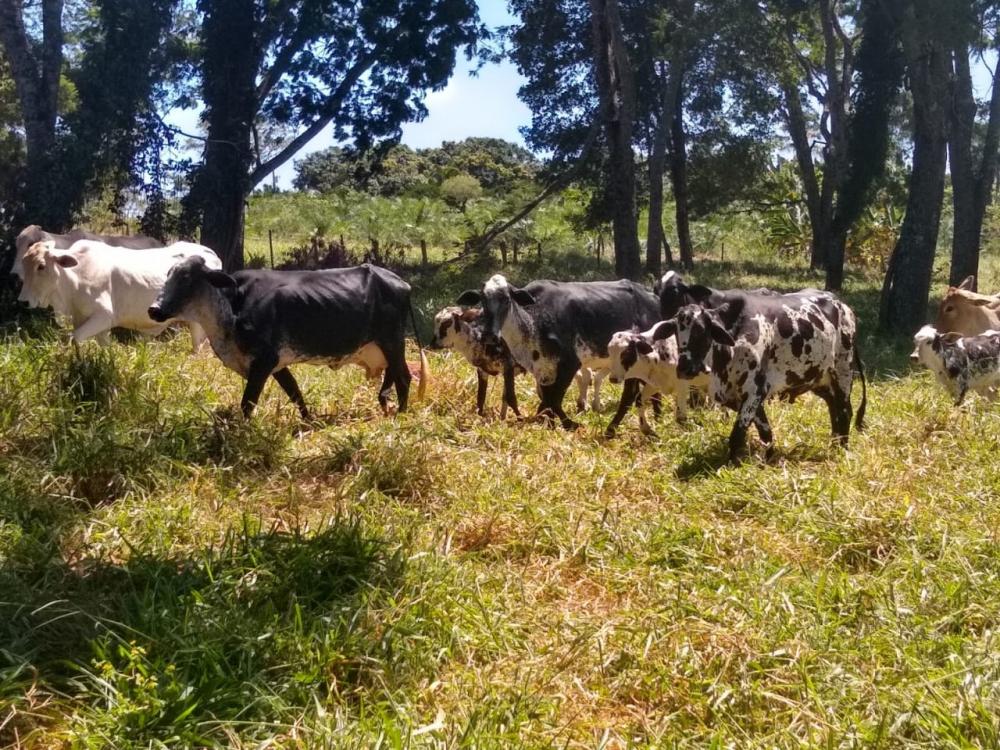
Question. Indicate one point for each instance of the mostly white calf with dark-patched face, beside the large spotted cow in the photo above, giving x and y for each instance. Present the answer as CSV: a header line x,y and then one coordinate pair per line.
x,y
653,362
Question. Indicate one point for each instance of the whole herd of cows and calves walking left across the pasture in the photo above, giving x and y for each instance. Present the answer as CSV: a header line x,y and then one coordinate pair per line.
x,y
733,347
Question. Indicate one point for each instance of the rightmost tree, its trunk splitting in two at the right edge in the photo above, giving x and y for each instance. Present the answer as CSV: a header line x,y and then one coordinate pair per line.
x,y
973,165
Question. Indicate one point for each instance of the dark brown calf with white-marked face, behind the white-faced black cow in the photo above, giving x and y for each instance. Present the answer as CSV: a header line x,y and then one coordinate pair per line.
x,y
462,329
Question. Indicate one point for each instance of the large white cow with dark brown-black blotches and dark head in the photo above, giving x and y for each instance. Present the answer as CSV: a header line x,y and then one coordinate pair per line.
x,y
760,346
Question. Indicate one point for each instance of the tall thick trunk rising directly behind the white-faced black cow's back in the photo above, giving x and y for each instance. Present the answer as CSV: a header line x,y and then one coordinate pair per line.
x,y
616,89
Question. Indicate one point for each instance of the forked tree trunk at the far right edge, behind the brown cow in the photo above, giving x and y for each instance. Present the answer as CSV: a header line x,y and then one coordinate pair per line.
x,y
971,186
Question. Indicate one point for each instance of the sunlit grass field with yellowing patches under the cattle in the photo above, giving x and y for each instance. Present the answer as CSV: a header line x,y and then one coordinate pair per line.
x,y
172,576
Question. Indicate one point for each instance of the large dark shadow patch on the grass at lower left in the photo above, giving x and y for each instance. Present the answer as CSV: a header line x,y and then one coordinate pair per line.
x,y
255,629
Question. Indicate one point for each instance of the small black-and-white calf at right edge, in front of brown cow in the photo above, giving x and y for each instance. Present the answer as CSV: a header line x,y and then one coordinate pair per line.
x,y
960,363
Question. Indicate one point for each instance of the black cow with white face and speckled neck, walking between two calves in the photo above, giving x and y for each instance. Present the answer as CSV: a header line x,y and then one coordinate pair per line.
x,y
554,328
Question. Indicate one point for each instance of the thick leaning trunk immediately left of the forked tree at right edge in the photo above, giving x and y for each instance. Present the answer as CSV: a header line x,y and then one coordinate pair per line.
x,y
908,279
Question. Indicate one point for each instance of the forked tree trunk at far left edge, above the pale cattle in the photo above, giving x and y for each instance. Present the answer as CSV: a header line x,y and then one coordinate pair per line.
x,y
36,72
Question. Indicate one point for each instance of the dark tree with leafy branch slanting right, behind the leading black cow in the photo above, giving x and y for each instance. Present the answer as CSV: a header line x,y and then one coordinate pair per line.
x,y
361,67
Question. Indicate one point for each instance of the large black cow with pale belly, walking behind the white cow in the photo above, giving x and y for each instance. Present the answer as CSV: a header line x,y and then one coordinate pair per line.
x,y
260,322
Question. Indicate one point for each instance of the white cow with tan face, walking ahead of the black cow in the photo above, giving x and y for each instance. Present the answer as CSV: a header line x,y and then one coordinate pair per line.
x,y
101,287
